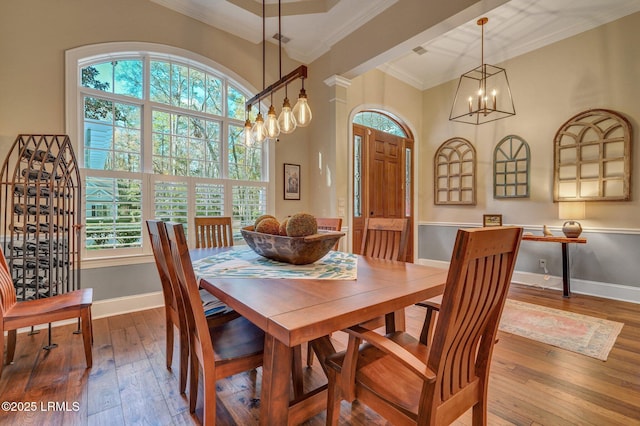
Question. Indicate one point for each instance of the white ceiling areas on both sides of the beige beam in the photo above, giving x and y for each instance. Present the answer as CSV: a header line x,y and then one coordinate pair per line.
x,y
314,26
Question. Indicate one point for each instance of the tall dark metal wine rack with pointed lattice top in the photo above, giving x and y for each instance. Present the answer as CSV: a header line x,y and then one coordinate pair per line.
x,y
40,198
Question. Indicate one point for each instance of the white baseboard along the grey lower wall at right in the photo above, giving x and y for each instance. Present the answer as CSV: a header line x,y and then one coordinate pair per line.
x,y
552,282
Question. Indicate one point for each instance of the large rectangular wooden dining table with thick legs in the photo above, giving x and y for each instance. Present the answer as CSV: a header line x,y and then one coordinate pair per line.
x,y
293,311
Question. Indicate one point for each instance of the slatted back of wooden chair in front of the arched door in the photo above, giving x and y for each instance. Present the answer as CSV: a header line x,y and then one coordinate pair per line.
x,y
385,238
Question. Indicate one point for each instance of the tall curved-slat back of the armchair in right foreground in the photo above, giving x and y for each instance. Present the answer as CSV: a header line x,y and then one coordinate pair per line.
x,y
475,292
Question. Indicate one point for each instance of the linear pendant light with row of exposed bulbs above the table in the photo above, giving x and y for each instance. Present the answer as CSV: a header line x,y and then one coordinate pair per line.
x,y
289,118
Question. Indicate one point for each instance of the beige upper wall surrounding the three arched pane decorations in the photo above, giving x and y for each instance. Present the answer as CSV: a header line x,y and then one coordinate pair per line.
x,y
597,69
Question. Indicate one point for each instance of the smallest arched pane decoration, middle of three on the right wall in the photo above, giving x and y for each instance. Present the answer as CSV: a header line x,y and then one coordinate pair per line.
x,y
511,168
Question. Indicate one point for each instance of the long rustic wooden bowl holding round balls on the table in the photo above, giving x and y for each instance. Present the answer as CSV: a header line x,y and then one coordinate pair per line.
x,y
294,250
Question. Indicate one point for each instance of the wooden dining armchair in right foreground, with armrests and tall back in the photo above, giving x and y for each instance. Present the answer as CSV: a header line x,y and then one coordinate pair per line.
x,y
409,382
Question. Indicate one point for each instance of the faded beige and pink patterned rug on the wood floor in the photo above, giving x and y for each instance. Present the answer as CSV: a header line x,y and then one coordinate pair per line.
x,y
583,334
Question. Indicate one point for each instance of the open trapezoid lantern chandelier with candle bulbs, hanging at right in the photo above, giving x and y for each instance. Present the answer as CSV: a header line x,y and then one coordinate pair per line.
x,y
483,94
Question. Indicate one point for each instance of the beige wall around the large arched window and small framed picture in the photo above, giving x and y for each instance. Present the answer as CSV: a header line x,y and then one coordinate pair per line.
x,y
34,35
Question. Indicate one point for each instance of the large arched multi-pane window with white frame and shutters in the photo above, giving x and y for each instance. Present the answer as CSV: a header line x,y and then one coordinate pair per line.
x,y
159,136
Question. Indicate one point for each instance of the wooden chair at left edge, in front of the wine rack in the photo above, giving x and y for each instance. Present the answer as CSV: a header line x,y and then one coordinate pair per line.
x,y
16,315
